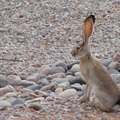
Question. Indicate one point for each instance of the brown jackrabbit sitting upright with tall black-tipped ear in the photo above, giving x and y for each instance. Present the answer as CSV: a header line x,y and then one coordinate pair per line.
x,y
100,87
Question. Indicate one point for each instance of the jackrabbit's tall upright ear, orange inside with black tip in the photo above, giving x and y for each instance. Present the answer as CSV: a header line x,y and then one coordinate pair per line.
x,y
88,27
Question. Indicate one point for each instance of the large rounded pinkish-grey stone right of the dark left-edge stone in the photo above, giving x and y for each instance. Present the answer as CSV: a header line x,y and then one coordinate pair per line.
x,y
14,80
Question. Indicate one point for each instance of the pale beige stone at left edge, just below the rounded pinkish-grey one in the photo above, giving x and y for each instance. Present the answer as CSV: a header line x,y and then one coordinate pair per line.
x,y
6,89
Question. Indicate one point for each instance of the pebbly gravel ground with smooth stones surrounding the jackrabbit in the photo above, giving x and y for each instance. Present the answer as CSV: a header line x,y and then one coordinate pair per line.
x,y
34,36
